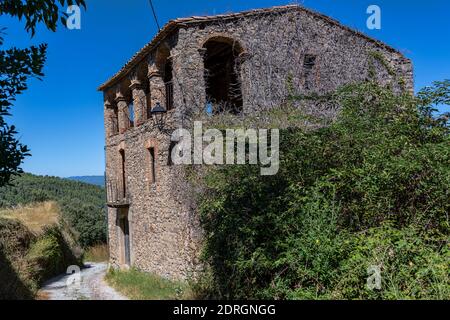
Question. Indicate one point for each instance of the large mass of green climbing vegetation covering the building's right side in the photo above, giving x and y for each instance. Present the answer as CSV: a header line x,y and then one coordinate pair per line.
x,y
371,189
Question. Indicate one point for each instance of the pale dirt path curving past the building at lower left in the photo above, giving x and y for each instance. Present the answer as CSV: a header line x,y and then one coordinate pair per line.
x,y
88,285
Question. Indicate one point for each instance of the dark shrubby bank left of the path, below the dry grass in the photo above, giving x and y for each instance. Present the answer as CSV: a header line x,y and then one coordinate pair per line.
x,y
27,259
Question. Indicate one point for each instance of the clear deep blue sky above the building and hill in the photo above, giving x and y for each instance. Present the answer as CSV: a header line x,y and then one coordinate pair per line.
x,y
61,118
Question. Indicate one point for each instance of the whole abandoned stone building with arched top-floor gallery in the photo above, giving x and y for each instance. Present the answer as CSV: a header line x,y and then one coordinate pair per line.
x,y
238,63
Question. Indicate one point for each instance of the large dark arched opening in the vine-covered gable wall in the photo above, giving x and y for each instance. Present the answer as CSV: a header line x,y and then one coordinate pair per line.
x,y
222,75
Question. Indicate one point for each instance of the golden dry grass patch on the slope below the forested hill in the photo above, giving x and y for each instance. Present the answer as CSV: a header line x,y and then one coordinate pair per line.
x,y
35,217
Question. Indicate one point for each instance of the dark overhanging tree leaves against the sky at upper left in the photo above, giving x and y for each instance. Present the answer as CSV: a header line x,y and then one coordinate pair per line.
x,y
17,66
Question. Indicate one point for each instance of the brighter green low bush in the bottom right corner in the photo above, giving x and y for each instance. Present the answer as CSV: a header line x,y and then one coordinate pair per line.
x,y
414,265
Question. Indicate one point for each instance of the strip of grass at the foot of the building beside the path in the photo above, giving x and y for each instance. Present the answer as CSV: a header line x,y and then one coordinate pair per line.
x,y
138,285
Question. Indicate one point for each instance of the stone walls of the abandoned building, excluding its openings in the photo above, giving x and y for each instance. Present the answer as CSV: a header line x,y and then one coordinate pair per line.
x,y
165,233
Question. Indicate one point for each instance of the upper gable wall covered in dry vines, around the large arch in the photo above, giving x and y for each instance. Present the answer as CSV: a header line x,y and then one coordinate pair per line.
x,y
275,46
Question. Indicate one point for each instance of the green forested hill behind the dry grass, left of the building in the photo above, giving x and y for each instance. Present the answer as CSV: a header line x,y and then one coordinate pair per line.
x,y
82,205
